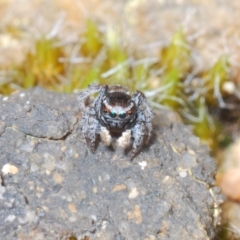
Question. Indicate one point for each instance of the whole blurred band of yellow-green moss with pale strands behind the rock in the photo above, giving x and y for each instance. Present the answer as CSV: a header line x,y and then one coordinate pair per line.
x,y
101,56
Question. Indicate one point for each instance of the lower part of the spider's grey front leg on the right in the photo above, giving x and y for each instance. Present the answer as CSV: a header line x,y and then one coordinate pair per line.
x,y
138,133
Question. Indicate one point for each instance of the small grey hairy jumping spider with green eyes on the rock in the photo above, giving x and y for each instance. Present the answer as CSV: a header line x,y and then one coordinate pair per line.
x,y
115,113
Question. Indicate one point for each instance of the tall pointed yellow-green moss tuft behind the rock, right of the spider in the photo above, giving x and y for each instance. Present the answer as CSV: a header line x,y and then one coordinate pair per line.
x,y
175,62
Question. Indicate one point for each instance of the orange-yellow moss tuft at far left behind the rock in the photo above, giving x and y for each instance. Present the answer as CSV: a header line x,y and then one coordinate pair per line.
x,y
42,66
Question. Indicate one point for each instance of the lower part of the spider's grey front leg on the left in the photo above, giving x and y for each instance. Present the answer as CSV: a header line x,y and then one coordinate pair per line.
x,y
90,129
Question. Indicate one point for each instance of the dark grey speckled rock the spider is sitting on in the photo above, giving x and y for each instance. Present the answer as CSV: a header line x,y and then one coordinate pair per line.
x,y
53,187
